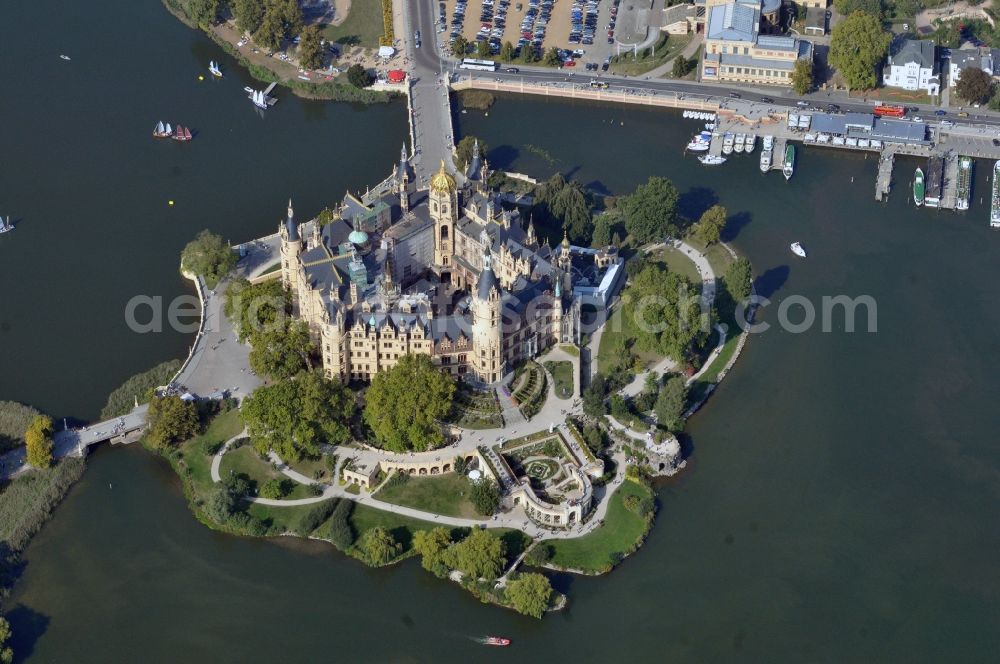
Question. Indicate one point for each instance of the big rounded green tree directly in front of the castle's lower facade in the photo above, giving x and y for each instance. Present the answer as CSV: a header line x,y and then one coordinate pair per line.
x,y
405,404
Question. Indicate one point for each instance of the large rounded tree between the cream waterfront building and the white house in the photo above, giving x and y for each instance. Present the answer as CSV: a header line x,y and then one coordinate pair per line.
x,y
857,47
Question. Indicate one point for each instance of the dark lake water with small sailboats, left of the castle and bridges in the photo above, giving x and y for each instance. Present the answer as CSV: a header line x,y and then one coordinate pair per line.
x,y
90,185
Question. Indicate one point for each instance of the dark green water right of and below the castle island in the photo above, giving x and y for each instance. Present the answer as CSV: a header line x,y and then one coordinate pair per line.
x,y
839,505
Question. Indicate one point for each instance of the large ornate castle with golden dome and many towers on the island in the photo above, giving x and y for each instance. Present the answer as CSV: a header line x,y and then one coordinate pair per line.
x,y
444,271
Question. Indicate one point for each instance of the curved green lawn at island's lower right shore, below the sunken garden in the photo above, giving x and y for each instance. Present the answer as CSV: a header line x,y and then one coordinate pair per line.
x,y
621,531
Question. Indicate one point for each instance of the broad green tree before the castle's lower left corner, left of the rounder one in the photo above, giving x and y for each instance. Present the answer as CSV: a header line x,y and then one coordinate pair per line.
x,y
292,417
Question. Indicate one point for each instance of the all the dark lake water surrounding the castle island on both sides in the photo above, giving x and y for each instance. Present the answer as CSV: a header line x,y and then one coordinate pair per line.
x,y
839,504
